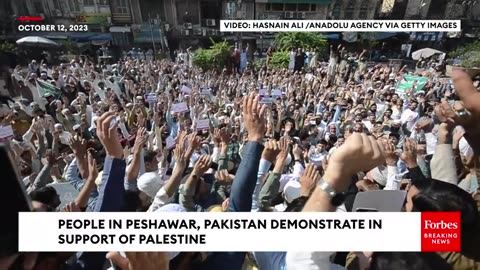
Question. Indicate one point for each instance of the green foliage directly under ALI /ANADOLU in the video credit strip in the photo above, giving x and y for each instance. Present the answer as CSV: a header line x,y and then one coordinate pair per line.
x,y
285,41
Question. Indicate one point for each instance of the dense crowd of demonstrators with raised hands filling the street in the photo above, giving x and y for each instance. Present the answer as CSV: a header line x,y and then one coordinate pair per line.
x,y
133,137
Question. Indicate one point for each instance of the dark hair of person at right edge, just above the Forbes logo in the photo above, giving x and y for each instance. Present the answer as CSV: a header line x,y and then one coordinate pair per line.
x,y
439,196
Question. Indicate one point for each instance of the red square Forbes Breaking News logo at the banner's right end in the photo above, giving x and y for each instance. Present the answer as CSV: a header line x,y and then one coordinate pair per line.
x,y
441,232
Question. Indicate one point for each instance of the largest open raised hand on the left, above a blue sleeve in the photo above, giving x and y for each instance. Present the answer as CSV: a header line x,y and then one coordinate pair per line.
x,y
107,134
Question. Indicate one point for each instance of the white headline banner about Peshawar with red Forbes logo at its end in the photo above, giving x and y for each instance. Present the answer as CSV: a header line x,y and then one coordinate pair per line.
x,y
365,231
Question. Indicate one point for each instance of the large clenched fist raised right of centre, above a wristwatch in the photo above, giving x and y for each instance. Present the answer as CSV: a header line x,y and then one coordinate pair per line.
x,y
359,153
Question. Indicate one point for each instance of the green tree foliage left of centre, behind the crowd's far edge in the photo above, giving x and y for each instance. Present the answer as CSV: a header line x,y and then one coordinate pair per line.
x,y
214,57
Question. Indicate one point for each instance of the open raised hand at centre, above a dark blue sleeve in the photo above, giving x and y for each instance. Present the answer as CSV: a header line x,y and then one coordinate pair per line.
x,y
253,115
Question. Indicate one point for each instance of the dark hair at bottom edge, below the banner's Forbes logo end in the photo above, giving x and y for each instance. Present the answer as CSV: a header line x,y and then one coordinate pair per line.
x,y
408,261
